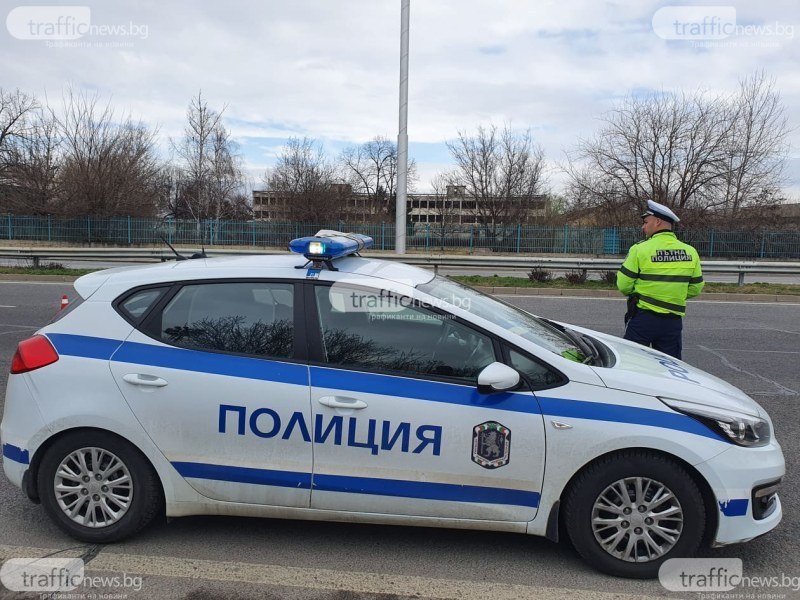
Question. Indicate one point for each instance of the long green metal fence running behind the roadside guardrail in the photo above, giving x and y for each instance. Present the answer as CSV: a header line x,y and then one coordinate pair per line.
x,y
430,238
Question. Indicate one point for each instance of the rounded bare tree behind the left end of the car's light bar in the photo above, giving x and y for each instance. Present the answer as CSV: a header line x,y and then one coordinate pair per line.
x,y
305,184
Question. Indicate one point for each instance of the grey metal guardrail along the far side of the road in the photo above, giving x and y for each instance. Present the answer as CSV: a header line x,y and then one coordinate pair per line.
x,y
741,268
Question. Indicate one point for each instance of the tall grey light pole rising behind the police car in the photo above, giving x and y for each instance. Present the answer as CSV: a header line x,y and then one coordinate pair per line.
x,y
402,136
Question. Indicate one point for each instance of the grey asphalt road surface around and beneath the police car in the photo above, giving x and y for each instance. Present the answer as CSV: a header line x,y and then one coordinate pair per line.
x,y
754,346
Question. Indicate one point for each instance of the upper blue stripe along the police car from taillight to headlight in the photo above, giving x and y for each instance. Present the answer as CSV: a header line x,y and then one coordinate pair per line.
x,y
404,387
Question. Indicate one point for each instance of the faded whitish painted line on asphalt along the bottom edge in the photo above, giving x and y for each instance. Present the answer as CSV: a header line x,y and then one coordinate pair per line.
x,y
318,579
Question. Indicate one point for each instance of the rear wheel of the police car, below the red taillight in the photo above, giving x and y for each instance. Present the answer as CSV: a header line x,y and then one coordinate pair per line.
x,y
98,487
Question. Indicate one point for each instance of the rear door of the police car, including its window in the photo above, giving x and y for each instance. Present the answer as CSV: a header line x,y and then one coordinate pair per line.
x,y
216,375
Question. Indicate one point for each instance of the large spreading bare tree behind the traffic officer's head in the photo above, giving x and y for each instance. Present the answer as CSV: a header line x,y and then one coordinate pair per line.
x,y
704,156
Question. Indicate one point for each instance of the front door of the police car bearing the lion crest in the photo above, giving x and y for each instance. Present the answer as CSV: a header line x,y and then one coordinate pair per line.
x,y
398,422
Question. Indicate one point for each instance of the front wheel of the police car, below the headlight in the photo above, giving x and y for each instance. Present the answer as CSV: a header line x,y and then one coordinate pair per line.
x,y
618,535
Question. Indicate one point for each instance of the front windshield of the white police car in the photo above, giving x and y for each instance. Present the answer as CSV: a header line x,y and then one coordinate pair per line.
x,y
509,317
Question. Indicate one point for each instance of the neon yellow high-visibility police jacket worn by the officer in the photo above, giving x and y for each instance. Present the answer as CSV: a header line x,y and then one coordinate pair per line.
x,y
663,271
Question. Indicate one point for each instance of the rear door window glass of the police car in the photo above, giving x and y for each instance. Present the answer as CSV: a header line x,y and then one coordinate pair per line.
x,y
255,318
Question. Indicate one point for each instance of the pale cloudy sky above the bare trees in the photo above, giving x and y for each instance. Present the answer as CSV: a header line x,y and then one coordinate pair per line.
x,y
329,69
